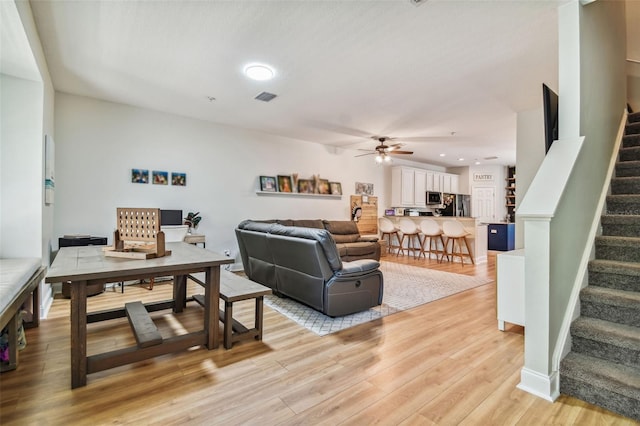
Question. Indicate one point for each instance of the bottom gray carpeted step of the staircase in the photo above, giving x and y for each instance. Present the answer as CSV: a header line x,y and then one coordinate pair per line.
x,y
603,383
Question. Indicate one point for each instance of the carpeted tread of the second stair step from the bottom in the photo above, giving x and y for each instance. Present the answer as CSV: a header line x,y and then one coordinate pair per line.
x,y
620,335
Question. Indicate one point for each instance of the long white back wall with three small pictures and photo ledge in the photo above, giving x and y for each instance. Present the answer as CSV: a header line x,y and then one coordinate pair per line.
x,y
99,142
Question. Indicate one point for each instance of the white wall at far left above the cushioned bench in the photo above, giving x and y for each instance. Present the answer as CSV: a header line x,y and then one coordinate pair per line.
x,y
26,223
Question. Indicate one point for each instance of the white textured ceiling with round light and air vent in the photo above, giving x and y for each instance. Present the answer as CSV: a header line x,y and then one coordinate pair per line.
x,y
346,70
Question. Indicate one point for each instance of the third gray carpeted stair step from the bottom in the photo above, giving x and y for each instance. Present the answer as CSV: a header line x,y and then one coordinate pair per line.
x,y
619,306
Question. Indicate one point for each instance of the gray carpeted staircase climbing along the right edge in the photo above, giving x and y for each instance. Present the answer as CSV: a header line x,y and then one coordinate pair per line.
x,y
603,367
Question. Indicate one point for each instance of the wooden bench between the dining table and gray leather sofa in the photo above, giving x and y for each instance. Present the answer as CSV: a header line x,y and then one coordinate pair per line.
x,y
234,288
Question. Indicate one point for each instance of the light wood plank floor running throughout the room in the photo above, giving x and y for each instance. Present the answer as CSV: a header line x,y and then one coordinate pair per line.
x,y
441,363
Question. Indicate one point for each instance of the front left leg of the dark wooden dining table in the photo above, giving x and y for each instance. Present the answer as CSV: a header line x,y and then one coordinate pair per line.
x,y
78,334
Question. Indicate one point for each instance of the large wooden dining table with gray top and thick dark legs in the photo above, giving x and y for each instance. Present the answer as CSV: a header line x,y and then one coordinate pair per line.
x,y
84,266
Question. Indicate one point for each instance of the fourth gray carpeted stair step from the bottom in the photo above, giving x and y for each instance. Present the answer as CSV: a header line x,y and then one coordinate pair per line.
x,y
613,274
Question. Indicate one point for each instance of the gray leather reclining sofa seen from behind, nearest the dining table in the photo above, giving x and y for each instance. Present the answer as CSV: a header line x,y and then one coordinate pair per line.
x,y
304,264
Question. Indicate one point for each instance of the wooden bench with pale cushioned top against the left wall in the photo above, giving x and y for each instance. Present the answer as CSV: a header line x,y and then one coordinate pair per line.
x,y
19,278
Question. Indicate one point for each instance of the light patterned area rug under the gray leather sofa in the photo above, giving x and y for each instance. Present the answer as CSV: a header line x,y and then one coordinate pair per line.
x,y
405,287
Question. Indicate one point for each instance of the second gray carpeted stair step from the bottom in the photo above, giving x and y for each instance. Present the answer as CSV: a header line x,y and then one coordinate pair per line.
x,y
618,343
